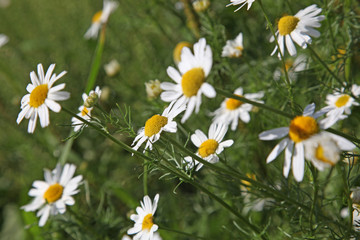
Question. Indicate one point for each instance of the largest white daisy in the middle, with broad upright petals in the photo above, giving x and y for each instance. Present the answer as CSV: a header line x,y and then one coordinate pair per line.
x,y
190,84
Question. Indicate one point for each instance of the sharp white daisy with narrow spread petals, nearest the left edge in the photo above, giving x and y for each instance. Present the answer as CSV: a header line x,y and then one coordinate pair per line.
x,y
42,96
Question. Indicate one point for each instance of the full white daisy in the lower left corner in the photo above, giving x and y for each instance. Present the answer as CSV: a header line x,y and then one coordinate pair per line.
x,y
52,195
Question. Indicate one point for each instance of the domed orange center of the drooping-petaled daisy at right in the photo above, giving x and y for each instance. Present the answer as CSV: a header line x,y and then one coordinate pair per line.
x,y
302,127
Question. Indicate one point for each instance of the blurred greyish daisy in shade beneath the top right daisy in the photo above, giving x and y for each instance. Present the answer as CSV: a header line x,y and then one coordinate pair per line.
x,y
293,67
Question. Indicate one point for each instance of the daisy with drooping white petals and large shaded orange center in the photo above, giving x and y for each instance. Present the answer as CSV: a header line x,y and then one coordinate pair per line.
x,y
301,128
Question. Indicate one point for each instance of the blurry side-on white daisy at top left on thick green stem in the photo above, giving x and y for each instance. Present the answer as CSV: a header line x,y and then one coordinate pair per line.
x,y
100,18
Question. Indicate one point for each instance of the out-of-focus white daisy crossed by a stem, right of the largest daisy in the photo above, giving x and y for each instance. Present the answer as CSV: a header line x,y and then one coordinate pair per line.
x,y
232,109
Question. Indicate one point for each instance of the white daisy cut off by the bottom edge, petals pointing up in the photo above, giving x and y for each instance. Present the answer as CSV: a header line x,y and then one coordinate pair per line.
x,y
144,227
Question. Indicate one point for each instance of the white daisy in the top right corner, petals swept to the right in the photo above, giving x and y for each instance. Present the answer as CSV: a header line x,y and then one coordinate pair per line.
x,y
297,28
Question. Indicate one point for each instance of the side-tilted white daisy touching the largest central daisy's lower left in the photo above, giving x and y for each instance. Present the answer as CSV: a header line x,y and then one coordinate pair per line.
x,y
156,124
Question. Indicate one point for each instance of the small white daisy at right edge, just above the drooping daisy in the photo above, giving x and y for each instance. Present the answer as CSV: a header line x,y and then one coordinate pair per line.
x,y
339,106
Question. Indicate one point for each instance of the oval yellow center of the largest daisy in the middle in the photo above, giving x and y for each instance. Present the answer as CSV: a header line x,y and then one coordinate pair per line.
x,y
192,81
